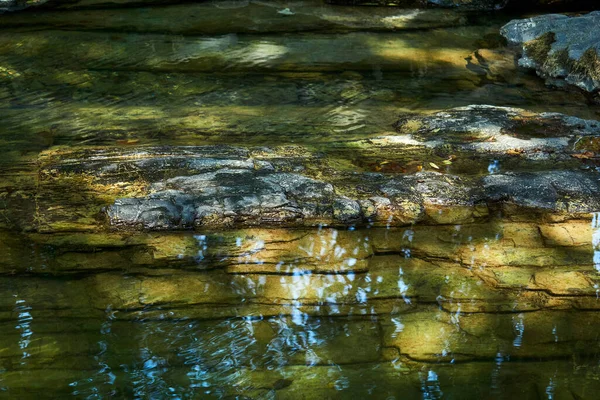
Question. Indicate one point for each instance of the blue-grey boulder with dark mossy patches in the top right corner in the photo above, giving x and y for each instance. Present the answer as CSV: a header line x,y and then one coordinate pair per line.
x,y
560,47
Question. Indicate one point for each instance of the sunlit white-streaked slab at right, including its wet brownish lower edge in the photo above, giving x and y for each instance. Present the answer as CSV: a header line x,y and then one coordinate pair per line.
x,y
466,137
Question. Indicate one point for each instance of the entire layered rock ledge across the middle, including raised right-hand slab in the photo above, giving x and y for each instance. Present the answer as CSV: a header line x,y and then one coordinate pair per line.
x,y
493,159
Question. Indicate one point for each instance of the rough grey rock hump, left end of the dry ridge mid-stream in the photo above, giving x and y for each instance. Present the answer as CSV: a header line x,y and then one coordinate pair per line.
x,y
229,196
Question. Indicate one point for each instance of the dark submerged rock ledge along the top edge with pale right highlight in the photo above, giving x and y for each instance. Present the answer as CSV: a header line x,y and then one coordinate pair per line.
x,y
208,17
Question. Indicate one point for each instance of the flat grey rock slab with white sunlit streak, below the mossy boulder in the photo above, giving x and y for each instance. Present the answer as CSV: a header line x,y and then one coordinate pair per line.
x,y
501,131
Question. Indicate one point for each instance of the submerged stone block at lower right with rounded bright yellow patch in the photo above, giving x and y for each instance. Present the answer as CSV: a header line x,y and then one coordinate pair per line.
x,y
445,337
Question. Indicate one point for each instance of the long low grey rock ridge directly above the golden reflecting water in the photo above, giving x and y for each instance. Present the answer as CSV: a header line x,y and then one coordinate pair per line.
x,y
247,196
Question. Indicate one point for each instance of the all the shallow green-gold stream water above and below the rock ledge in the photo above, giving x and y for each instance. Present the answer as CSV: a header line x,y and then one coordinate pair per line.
x,y
501,310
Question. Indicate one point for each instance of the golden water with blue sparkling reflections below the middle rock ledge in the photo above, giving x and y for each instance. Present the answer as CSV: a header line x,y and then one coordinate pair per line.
x,y
424,312
